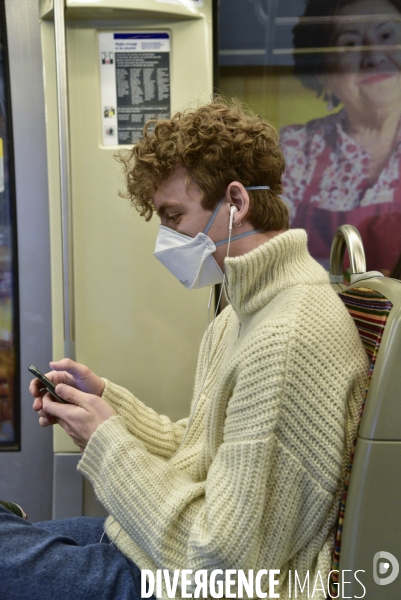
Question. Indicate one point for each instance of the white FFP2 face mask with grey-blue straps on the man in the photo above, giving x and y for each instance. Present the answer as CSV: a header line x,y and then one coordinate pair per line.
x,y
190,259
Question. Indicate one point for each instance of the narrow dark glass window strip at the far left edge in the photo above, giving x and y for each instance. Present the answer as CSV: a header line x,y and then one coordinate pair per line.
x,y
9,394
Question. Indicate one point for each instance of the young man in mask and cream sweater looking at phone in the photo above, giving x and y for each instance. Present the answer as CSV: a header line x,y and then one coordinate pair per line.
x,y
252,480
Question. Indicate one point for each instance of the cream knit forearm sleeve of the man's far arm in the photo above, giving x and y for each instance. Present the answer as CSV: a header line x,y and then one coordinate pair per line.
x,y
158,433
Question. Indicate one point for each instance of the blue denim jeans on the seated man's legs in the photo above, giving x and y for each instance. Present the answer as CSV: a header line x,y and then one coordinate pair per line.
x,y
63,560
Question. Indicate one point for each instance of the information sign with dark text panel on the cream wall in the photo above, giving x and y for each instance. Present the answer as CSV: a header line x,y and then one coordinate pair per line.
x,y
135,83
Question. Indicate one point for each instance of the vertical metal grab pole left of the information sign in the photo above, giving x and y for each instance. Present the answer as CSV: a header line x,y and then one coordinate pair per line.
x,y
65,177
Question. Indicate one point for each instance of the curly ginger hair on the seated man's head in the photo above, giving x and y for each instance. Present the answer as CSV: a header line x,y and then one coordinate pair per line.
x,y
216,143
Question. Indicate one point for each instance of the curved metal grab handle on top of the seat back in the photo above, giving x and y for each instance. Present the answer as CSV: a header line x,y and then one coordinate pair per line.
x,y
346,236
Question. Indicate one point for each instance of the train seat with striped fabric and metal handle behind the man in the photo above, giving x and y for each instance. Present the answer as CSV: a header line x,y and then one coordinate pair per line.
x,y
369,529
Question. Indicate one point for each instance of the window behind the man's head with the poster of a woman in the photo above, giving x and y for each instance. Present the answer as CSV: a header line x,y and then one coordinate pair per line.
x,y
327,75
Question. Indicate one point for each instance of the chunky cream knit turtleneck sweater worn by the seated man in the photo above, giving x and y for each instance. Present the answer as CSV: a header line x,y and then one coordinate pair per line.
x,y
253,481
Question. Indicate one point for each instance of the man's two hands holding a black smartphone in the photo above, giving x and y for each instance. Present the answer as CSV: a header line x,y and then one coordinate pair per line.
x,y
81,389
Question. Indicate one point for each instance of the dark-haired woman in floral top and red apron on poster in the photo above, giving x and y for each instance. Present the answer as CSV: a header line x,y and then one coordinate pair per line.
x,y
345,167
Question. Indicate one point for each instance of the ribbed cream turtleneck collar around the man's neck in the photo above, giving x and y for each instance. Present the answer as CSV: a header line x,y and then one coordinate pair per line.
x,y
255,278
